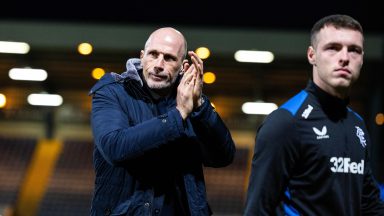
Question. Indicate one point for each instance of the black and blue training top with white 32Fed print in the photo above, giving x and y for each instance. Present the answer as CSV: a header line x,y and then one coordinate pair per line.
x,y
311,158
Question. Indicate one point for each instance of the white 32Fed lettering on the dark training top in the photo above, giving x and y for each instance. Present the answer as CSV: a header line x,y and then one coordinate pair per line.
x,y
344,165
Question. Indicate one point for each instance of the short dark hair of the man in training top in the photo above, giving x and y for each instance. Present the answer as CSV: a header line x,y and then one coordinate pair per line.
x,y
337,21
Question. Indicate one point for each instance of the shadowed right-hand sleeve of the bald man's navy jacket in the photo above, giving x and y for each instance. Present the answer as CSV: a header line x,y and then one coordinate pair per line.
x,y
216,143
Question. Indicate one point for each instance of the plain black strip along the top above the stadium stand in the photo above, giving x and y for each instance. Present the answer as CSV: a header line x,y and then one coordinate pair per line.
x,y
269,14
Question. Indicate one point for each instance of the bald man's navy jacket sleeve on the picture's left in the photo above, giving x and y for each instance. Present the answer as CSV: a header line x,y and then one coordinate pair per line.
x,y
119,140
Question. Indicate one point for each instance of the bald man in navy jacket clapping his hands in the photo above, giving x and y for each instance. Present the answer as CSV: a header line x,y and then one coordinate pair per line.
x,y
153,131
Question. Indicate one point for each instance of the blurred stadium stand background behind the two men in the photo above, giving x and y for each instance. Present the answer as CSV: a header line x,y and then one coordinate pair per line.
x,y
46,152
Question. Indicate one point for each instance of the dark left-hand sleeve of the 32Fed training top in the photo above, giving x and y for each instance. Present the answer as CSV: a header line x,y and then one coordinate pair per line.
x,y
276,152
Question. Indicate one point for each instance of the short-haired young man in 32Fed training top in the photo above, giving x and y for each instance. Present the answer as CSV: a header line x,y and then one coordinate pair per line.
x,y
311,155
